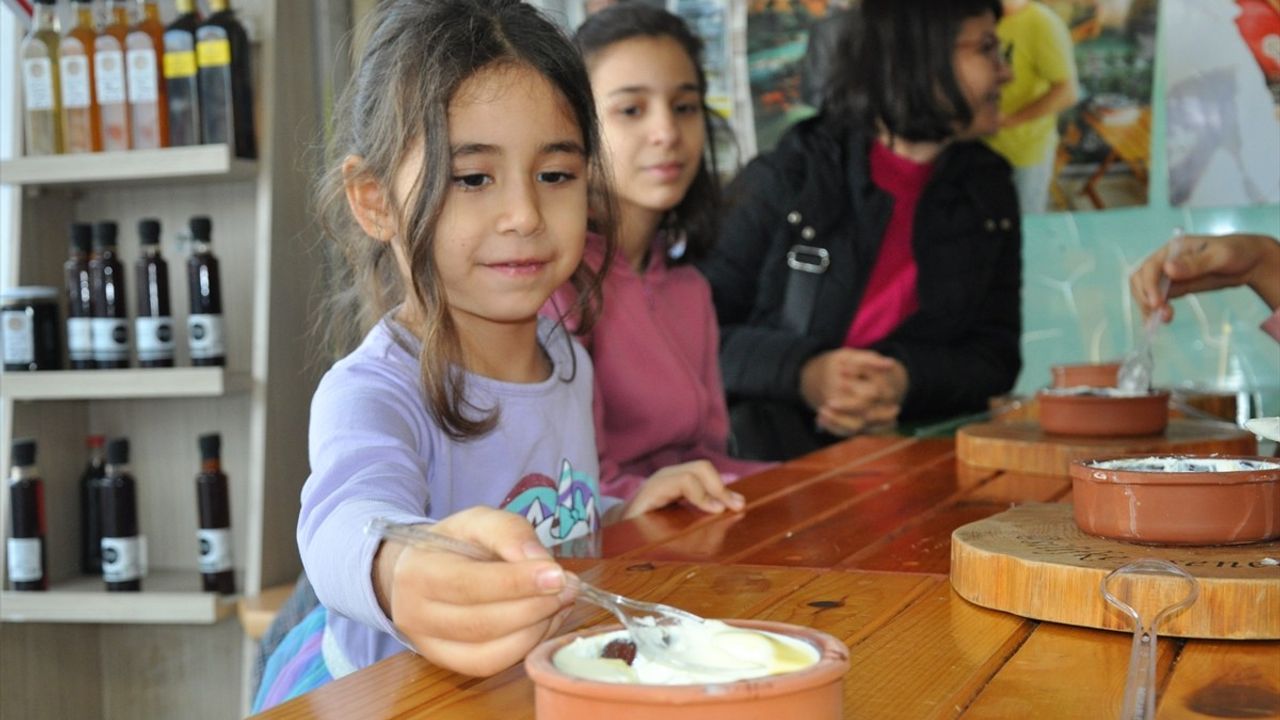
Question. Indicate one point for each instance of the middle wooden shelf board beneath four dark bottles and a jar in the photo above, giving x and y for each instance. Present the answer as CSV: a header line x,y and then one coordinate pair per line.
x,y
117,385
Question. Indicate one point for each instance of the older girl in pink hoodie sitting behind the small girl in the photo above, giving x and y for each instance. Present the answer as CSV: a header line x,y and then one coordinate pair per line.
x,y
655,349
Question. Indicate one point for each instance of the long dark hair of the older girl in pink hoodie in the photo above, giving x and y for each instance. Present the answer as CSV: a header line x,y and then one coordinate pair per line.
x,y
697,217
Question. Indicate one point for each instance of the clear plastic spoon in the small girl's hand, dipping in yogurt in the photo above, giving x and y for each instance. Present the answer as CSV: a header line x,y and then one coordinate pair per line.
x,y
656,628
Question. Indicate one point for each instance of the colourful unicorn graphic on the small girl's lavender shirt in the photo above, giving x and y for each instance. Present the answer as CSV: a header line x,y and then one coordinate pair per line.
x,y
559,511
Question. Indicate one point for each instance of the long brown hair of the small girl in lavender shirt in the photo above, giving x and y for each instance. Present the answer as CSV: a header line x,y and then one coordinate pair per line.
x,y
417,57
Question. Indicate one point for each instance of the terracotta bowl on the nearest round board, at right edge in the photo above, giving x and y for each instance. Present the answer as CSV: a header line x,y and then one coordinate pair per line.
x,y
1180,499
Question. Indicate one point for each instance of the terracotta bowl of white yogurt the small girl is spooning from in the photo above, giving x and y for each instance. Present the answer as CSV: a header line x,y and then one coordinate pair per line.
x,y
579,677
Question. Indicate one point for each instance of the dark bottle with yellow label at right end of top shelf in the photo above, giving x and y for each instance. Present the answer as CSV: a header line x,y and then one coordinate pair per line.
x,y
226,93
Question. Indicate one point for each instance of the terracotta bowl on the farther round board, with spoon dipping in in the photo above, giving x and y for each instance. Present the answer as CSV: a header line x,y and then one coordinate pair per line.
x,y
1100,416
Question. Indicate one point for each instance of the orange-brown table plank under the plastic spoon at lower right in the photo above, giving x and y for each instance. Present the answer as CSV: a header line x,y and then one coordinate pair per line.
x,y
1032,683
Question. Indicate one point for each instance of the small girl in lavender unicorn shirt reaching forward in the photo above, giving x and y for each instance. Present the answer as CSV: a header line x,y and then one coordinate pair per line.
x,y
463,152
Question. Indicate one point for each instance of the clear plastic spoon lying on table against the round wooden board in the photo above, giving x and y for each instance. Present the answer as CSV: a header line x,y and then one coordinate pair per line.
x,y
1146,585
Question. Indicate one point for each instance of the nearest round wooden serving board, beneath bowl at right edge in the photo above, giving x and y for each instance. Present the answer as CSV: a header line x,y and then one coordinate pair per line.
x,y
1034,562
